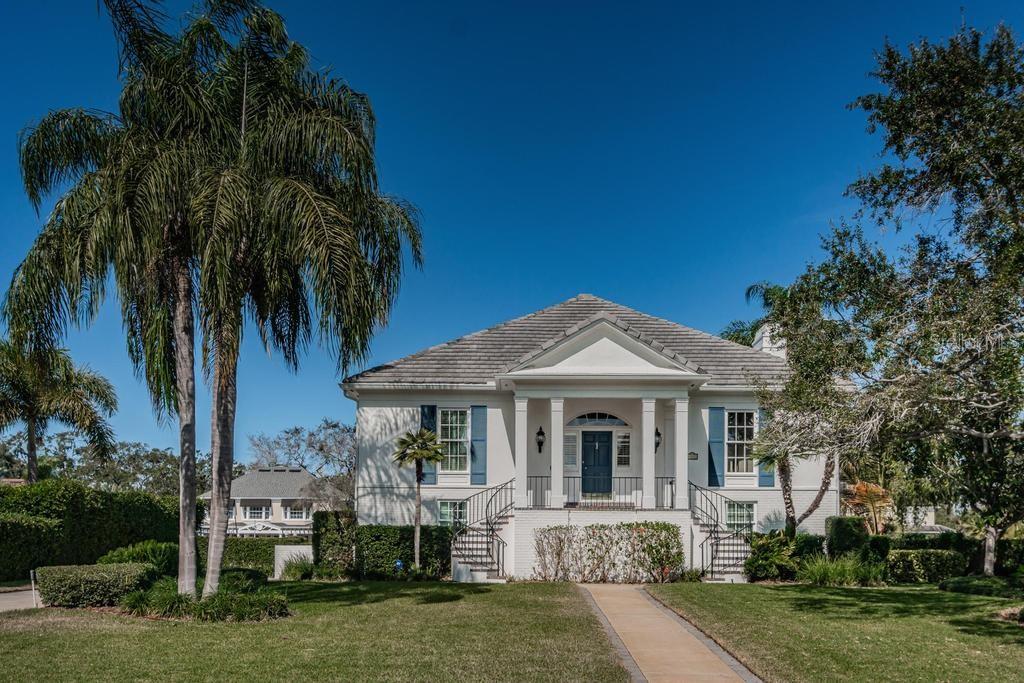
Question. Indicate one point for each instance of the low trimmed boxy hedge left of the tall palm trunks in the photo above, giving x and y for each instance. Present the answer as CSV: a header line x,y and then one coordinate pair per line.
x,y
93,585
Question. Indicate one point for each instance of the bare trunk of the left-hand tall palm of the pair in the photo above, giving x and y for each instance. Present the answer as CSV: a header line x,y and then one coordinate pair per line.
x,y
185,370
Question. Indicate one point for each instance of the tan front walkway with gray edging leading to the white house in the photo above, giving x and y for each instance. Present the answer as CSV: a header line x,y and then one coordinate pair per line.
x,y
661,644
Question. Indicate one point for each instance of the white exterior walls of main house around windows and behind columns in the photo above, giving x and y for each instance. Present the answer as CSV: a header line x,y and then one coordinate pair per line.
x,y
386,494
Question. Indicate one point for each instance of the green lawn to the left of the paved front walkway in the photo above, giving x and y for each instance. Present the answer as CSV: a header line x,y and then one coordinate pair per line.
x,y
363,631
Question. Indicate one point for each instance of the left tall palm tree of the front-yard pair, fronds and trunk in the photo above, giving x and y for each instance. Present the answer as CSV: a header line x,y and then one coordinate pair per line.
x,y
127,215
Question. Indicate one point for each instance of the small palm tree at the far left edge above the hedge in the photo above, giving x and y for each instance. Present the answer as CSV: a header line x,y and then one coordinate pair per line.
x,y
39,387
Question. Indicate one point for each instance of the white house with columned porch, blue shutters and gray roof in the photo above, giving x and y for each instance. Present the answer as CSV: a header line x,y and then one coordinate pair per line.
x,y
587,412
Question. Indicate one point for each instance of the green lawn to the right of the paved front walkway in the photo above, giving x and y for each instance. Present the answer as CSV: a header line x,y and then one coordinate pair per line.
x,y
802,633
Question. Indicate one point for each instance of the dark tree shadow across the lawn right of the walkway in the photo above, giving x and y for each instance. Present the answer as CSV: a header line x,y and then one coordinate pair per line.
x,y
969,614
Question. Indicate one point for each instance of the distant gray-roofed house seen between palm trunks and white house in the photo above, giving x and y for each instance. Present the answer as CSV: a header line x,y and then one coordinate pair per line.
x,y
272,501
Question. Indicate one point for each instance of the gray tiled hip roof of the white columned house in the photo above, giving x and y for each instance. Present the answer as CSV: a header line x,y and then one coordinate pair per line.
x,y
478,358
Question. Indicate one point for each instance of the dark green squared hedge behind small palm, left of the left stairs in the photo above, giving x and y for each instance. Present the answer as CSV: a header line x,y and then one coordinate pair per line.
x,y
345,549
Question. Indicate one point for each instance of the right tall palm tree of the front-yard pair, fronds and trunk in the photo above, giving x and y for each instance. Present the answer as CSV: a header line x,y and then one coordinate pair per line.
x,y
296,234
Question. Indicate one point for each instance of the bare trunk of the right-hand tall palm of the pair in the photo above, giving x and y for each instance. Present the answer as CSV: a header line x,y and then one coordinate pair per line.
x,y
223,446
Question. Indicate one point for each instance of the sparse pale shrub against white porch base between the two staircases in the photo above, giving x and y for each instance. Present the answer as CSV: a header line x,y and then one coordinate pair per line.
x,y
625,553
